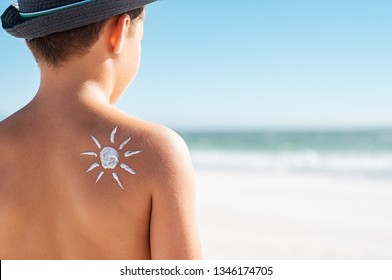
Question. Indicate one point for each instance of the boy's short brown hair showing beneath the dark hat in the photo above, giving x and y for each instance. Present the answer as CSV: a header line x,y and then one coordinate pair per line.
x,y
57,48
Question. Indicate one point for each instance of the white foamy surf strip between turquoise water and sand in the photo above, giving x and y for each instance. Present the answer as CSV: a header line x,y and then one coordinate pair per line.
x,y
306,160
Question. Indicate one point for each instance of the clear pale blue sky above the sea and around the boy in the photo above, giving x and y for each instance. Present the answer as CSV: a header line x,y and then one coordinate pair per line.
x,y
247,64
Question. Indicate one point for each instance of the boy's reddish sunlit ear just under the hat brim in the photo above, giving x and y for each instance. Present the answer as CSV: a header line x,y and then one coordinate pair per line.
x,y
119,33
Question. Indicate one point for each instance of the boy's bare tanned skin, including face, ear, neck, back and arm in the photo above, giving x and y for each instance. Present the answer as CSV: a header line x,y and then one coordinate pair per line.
x,y
50,208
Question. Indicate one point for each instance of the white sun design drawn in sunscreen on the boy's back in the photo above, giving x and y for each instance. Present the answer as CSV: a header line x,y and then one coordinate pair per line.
x,y
109,158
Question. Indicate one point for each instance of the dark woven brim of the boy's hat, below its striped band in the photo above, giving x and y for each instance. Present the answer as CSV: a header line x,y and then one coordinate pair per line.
x,y
66,19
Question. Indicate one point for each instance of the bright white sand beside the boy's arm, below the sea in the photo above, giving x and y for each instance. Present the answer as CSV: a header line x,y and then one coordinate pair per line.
x,y
293,215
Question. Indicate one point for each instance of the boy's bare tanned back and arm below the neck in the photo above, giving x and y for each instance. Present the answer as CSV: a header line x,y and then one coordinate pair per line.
x,y
50,208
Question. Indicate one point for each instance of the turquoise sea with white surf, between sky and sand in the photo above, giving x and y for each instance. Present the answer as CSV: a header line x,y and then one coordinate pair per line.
x,y
355,152
